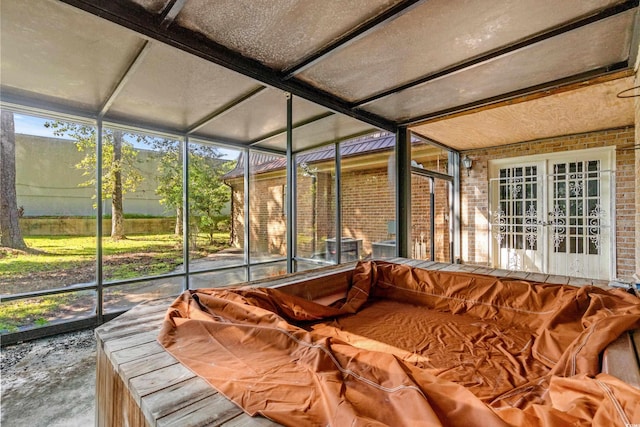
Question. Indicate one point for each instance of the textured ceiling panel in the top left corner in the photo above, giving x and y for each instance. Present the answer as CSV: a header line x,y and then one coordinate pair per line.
x,y
58,53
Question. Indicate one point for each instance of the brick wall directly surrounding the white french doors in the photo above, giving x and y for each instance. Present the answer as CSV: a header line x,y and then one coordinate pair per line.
x,y
475,193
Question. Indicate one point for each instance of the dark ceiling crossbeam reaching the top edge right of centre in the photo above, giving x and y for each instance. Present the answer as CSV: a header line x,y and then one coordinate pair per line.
x,y
357,33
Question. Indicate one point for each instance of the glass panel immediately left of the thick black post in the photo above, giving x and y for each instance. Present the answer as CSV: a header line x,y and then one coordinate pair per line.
x,y
368,199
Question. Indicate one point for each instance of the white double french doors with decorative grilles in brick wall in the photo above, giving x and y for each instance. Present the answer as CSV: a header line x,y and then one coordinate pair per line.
x,y
554,214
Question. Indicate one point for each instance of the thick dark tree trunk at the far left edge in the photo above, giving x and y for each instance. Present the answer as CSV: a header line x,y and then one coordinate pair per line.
x,y
10,234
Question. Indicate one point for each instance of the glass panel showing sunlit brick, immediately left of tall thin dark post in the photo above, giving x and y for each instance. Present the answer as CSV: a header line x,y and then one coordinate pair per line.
x,y
267,207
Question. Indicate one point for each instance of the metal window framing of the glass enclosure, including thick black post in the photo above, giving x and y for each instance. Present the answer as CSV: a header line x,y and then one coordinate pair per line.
x,y
403,202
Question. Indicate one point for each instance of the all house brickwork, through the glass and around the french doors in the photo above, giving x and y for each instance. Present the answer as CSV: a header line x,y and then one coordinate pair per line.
x,y
368,199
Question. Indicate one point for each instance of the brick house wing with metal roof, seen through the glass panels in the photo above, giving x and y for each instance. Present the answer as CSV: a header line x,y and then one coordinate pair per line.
x,y
368,200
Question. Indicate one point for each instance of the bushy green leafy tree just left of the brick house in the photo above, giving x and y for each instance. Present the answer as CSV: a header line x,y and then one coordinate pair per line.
x,y
208,194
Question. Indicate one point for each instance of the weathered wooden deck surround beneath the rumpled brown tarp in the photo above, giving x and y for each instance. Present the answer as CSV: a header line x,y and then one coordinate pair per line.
x,y
139,384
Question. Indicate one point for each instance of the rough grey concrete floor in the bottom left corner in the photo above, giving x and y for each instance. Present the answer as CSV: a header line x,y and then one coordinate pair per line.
x,y
49,382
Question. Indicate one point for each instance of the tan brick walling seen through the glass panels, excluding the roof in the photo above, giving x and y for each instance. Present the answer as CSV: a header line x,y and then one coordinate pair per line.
x,y
368,208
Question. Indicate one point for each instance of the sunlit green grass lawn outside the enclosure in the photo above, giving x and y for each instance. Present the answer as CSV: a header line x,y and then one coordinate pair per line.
x,y
60,261
